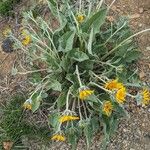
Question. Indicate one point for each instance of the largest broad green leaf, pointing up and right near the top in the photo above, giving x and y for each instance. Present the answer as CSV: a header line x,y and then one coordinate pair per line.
x,y
95,21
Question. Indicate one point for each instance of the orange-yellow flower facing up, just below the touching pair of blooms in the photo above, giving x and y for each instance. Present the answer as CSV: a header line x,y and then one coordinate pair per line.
x,y
107,108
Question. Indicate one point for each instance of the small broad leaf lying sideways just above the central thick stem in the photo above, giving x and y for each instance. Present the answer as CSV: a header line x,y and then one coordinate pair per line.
x,y
78,55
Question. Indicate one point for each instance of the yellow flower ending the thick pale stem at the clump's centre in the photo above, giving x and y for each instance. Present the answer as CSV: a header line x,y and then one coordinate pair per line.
x,y
83,94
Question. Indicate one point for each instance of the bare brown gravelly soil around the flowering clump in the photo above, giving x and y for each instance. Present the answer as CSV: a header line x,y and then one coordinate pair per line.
x,y
133,133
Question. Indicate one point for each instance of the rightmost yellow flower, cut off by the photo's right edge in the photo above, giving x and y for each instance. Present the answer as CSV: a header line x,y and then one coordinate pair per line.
x,y
145,97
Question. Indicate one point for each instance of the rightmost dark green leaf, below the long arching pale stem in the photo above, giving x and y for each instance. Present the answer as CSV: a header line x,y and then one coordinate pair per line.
x,y
132,55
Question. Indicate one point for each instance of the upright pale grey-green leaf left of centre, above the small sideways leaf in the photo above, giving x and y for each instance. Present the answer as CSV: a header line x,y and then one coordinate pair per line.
x,y
66,41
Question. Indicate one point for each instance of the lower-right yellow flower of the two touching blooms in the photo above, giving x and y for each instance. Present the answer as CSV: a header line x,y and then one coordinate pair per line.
x,y
120,95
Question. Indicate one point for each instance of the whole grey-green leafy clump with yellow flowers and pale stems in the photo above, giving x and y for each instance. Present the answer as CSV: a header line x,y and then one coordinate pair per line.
x,y
76,69
